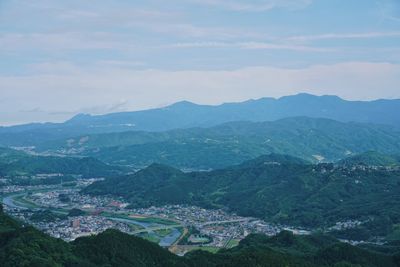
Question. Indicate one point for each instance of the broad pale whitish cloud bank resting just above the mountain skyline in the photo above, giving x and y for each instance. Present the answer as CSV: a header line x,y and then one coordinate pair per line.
x,y
93,89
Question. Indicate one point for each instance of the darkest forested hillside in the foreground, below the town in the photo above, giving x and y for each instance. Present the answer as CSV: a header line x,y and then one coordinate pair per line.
x,y
25,246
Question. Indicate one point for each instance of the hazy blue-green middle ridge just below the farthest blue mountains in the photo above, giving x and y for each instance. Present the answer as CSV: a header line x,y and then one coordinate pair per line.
x,y
232,143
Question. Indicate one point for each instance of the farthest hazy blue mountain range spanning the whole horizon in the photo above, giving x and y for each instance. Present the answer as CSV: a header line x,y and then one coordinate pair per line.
x,y
187,115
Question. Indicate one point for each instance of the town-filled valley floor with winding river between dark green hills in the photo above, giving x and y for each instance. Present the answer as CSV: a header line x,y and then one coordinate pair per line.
x,y
166,225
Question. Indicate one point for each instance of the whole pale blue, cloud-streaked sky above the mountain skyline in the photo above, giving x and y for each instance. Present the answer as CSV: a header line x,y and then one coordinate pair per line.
x,y
60,58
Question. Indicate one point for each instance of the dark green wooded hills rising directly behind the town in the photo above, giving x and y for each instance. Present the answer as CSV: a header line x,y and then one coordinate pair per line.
x,y
274,188
